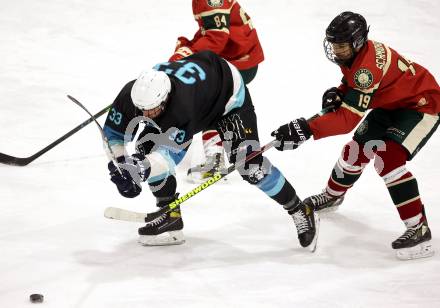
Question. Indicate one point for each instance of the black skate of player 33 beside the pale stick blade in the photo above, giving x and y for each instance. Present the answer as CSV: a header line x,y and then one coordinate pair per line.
x,y
164,229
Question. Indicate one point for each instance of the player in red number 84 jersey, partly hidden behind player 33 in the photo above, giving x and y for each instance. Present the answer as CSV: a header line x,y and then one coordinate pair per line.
x,y
226,29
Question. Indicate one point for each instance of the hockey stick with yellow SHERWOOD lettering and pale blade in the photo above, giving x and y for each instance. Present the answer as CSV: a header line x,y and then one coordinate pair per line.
x,y
127,215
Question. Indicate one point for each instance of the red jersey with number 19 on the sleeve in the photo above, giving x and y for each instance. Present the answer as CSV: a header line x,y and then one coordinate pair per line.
x,y
379,78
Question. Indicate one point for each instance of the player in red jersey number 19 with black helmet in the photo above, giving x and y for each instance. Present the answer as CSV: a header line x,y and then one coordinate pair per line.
x,y
405,102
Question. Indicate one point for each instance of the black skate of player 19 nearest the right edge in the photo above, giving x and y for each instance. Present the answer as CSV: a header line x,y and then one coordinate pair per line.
x,y
414,243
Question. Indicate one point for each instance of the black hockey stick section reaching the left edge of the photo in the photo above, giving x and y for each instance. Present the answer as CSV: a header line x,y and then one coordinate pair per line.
x,y
23,161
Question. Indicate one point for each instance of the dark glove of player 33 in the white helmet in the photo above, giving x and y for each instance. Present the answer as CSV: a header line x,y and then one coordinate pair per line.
x,y
134,171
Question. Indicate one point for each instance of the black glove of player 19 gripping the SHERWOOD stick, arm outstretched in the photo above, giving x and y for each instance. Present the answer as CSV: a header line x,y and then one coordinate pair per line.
x,y
292,134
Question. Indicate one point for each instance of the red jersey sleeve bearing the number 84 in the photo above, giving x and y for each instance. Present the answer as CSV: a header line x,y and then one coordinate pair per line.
x,y
214,18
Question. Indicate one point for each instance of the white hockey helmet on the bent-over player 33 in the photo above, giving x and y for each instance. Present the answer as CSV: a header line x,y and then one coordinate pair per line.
x,y
151,89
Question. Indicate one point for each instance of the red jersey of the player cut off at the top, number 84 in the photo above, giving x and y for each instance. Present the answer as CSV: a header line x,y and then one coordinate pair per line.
x,y
226,29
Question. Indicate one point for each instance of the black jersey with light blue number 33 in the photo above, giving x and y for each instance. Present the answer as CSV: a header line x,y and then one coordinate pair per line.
x,y
204,88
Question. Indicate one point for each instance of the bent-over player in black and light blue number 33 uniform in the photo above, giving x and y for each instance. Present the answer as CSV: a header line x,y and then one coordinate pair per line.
x,y
177,100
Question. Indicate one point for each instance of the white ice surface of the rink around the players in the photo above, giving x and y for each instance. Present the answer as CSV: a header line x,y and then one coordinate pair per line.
x,y
241,248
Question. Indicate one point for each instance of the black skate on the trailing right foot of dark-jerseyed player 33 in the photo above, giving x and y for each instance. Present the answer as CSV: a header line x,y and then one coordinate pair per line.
x,y
307,225
